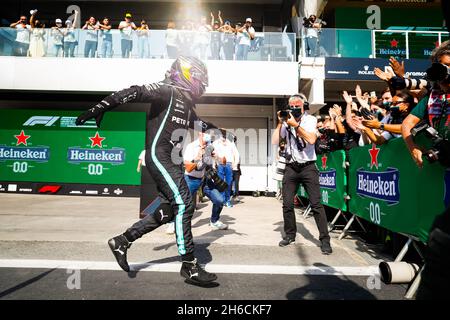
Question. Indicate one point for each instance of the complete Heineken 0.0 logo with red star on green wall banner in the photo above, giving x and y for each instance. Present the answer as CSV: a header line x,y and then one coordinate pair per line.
x,y
96,157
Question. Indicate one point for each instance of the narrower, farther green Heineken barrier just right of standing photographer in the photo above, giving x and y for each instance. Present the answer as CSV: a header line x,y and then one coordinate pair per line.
x,y
332,179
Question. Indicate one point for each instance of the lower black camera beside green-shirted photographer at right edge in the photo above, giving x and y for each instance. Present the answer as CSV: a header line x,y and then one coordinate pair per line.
x,y
437,148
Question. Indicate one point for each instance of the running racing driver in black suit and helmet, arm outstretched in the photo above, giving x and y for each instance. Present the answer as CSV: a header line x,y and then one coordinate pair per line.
x,y
172,107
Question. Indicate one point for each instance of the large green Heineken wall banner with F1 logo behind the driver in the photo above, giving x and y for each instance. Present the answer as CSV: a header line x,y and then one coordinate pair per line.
x,y
47,146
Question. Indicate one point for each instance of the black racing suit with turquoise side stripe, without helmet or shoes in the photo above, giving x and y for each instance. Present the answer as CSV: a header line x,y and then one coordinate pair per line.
x,y
171,109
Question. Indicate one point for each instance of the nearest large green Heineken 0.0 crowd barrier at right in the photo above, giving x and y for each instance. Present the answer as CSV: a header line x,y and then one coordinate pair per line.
x,y
388,189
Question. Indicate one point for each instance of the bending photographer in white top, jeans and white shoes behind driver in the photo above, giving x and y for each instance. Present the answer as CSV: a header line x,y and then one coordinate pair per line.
x,y
198,158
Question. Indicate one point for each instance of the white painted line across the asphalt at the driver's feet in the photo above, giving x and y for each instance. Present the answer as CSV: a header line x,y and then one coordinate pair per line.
x,y
175,267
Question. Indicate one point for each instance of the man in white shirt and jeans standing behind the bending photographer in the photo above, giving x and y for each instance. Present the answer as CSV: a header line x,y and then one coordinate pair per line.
x,y
228,158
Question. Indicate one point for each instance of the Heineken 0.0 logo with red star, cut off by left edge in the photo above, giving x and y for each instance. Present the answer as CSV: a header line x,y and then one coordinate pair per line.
x,y
22,154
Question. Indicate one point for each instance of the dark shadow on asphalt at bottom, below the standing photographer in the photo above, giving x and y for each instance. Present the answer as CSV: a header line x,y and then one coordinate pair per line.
x,y
328,287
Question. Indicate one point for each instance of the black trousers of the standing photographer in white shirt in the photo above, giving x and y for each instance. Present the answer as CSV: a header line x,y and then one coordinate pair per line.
x,y
309,177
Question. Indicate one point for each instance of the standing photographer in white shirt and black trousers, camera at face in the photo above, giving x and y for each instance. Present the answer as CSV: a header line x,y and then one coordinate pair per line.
x,y
299,129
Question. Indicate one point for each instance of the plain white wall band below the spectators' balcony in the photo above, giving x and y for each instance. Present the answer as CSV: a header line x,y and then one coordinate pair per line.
x,y
234,78
